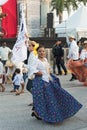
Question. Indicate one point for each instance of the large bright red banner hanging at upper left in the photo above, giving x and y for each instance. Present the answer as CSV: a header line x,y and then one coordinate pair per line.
x,y
9,23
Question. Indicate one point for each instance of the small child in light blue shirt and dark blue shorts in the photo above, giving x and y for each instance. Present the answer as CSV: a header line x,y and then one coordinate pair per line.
x,y
17,81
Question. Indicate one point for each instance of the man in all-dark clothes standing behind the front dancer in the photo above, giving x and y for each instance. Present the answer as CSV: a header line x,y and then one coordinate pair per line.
x,y
58,53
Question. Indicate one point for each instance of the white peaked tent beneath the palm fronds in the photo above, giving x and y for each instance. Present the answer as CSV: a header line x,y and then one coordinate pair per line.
x,y
75,25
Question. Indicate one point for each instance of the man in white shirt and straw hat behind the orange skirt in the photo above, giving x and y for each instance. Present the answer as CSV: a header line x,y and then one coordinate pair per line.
x,y
73,52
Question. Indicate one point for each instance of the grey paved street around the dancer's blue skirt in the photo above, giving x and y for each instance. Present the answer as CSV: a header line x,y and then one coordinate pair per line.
x,y
15,114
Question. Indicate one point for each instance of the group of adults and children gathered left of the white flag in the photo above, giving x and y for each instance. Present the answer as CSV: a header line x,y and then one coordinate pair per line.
x,y
9,70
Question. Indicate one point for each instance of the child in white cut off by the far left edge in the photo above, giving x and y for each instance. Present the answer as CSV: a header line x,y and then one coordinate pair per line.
x,y
1,76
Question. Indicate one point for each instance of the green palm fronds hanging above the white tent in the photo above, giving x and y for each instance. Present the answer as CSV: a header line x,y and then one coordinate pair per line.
x,y
60,5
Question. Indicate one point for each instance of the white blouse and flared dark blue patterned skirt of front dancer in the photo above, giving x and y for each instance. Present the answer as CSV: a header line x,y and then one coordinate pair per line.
x,y
52,103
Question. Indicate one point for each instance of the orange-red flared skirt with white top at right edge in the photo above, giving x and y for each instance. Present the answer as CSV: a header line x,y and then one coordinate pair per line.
x,y
79,67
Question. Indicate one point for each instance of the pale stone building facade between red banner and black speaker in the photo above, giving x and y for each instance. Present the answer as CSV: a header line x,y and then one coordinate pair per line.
x,y
36,15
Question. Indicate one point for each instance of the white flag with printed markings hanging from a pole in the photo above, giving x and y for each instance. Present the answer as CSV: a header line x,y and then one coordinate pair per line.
x,y
20,48
